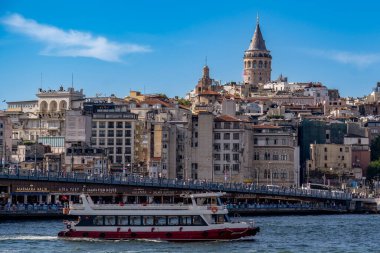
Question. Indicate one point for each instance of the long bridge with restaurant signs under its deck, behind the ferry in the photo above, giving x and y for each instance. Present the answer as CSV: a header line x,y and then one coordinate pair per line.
x,y
73,183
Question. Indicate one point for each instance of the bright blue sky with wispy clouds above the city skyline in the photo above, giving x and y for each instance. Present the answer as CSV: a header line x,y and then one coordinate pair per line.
x,y
112,47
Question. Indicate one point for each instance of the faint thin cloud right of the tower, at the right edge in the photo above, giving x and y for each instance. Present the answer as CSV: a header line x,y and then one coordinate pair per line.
x,y
357,59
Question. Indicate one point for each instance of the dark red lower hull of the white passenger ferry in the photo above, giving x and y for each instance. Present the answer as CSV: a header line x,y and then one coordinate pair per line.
x,y
219,234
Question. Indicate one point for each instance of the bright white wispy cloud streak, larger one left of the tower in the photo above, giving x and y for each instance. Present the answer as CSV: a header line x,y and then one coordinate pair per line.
x,y
72,43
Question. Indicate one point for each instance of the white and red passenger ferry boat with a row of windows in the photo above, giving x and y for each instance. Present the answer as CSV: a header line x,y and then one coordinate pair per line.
x,y
200,217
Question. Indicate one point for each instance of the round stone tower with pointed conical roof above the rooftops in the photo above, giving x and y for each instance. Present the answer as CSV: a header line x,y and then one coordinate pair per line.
x,y
257,60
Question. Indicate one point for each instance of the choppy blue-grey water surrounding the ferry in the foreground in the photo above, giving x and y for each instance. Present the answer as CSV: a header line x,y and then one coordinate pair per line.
x,y
332,233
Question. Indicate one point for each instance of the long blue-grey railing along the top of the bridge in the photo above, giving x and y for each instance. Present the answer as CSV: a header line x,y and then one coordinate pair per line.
x,y
118,179
